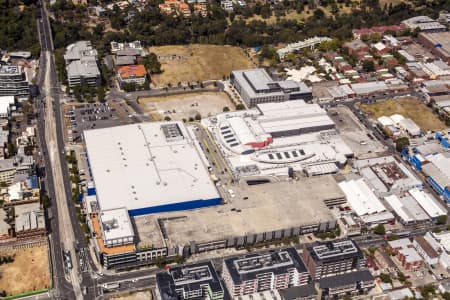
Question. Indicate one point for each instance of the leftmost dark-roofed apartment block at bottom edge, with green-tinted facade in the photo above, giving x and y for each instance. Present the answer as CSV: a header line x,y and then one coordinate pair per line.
x,y
194,281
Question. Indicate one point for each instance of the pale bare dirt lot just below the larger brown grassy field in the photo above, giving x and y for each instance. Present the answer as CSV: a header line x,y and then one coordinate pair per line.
x,y
186,106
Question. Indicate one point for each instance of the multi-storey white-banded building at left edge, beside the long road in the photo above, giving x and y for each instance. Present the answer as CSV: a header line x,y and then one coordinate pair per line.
x,y
13,81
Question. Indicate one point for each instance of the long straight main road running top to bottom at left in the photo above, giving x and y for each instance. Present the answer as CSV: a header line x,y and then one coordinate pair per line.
x,y
52,151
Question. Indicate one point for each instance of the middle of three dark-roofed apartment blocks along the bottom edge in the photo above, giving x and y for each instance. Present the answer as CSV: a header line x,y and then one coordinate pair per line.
x,y
255,273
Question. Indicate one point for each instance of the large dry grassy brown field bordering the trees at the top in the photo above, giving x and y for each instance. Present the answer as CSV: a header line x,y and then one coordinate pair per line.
x,y
193,63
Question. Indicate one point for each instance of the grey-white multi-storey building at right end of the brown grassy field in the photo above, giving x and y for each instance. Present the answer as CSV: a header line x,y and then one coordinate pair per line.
x,y
256,86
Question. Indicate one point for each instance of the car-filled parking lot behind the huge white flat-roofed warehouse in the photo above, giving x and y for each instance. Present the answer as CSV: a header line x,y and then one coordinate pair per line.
x,y
80,117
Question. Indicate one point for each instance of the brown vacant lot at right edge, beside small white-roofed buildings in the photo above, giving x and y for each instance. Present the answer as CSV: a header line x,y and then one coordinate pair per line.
x,y
407,107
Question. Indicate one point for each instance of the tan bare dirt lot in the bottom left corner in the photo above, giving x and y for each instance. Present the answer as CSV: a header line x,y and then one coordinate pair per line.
x,y
28,272
